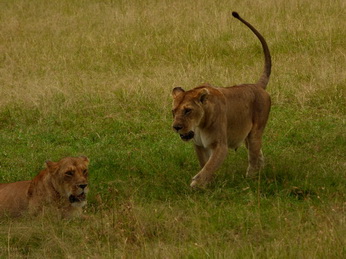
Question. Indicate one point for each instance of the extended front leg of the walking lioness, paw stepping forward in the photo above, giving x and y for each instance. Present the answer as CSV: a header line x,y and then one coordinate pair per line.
x,y
218,155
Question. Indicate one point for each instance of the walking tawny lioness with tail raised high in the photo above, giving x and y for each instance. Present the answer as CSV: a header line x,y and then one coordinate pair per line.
x,y
220,118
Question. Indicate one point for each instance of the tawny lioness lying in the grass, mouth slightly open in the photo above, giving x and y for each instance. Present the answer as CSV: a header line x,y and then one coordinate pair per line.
x,y
62,185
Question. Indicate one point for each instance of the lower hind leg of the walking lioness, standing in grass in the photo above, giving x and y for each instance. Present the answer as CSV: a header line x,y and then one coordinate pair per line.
x,y
255,155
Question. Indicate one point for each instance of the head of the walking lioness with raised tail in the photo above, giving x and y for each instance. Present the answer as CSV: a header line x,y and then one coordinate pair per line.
x,y
188,111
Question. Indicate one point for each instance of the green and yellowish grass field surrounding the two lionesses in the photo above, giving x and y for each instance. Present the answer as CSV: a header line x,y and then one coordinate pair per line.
x,y
95,77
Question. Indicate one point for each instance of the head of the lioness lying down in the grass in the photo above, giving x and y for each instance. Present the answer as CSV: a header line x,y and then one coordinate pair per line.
x,y
70,179
